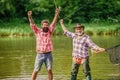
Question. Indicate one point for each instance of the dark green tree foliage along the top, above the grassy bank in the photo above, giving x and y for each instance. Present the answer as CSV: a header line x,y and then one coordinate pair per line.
x,y
71,10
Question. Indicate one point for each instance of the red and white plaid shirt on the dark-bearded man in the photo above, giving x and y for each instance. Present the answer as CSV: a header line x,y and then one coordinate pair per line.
x,y
43,40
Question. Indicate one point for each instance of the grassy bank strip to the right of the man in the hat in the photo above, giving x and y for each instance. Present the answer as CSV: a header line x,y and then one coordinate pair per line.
x,y
103,28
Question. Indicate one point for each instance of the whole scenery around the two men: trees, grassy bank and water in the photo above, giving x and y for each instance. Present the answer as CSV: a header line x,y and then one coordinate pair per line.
x,y
101,19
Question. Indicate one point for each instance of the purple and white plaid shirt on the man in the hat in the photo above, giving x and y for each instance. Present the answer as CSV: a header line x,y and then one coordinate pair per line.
x,y
81,44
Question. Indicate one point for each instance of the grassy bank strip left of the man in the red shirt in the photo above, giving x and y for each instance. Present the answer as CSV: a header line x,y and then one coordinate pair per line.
x,y
15,28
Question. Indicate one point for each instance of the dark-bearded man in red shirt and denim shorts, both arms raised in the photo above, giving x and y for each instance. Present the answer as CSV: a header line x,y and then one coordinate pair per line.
x,y
44,46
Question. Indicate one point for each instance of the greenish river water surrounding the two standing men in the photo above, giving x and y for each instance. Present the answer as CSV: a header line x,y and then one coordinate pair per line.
x,y
17,59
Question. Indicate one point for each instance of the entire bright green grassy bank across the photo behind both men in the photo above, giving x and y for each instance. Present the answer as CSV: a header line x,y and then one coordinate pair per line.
x,y
19,27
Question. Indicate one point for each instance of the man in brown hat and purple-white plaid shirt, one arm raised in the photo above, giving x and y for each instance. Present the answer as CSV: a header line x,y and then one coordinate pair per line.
x,y
81,42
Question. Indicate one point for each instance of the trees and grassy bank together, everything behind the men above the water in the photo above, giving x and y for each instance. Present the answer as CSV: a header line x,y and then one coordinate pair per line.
x,y
100,16
